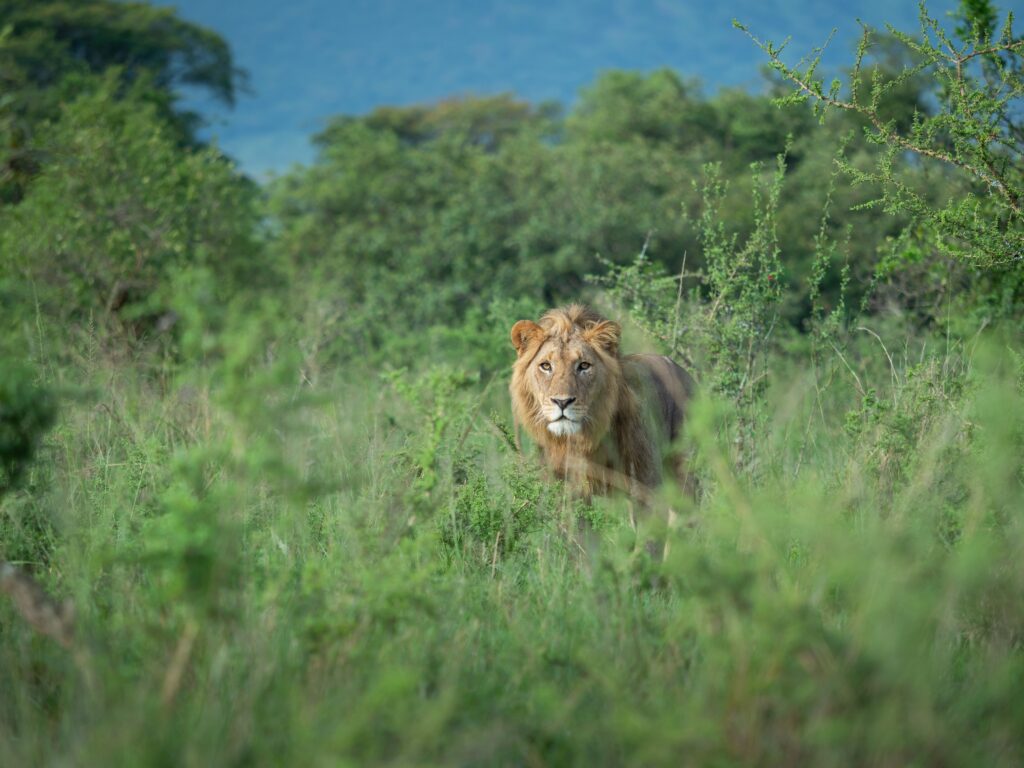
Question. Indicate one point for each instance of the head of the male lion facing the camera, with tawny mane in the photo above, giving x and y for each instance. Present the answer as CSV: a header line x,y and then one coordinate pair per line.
x,y
568,377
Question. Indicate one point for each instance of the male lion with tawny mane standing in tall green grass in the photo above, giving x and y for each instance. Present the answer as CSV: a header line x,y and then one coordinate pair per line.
x,y
603,420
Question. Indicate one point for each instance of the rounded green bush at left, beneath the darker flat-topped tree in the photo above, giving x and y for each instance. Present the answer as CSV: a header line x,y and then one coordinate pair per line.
x,y
116,211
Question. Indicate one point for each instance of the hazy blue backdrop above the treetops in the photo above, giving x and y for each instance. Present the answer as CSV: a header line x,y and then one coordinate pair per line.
x,y
310,60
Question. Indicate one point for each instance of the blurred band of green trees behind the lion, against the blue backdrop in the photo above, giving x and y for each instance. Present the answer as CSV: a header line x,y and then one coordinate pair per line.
x,y
485,199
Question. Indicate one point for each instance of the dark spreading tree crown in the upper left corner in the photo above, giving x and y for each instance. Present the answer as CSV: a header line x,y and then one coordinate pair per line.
x,y
51,51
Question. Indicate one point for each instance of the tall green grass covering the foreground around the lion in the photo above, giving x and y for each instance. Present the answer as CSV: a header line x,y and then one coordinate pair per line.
x,y
366,573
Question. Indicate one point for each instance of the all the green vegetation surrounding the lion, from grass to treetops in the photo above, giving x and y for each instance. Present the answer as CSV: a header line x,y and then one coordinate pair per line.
x,y
261,501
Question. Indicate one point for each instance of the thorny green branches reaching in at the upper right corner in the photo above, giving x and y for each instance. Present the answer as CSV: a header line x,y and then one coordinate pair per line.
x,y
973,134
